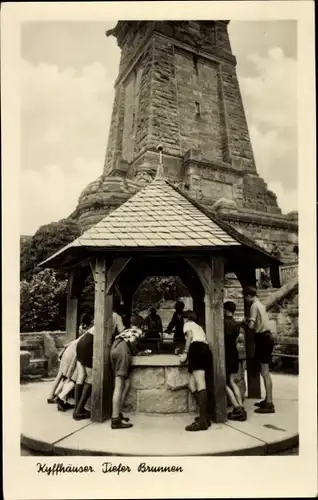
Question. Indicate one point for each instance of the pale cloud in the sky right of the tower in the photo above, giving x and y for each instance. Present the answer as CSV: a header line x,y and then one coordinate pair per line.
x,y
270,100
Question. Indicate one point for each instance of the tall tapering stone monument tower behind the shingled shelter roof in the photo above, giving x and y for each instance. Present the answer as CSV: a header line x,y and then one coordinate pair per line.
x,y
177,85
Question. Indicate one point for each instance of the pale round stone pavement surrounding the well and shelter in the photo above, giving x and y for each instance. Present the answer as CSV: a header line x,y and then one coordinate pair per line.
x,y
47,431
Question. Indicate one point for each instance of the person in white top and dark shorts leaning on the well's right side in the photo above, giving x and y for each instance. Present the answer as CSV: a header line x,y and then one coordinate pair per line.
x,y
199,357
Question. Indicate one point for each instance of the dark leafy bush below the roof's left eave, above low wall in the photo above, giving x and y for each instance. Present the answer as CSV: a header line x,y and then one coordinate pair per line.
x,y
42,302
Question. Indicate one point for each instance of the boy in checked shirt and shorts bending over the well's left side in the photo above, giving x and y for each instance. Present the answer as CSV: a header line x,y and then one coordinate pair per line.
x,y
122,350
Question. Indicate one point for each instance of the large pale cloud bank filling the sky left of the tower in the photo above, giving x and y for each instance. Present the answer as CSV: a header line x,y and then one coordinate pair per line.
x,y
65,117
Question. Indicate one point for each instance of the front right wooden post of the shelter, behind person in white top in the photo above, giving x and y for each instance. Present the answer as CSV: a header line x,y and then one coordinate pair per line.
x,y
215,334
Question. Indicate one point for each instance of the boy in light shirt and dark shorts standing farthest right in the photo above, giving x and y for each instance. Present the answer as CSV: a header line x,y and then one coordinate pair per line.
x,y
258,323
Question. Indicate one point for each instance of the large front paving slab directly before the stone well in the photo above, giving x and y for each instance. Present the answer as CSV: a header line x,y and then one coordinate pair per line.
x,y
163,435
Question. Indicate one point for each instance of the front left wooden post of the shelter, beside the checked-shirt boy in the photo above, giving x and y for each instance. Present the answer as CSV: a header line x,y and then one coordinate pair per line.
x,y
103,328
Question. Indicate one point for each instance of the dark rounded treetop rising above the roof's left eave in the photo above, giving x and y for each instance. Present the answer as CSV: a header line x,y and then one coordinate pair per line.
x,y
47,240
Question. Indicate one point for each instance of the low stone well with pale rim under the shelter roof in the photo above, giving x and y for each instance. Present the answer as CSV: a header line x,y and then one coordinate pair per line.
x,y
159,385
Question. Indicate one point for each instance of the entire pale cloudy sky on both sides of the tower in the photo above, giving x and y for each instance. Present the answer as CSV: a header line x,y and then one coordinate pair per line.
x,y
68,71
